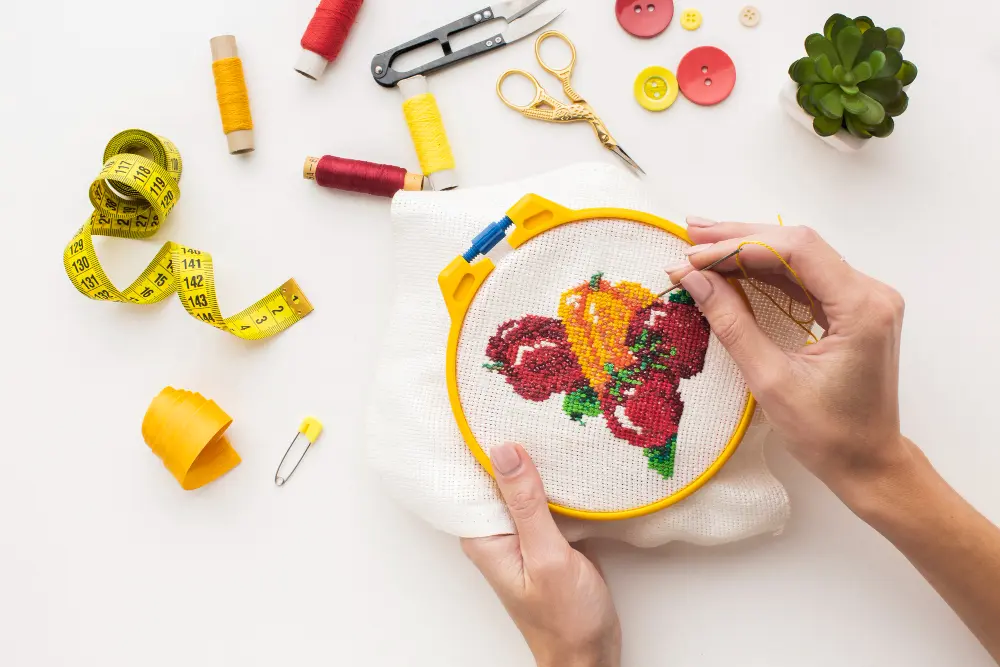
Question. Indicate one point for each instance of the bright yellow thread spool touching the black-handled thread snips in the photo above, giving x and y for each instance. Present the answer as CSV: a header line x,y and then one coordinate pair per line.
x,y
427,130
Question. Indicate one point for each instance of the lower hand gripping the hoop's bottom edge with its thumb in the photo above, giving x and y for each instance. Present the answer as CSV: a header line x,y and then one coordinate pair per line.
x,y
556,597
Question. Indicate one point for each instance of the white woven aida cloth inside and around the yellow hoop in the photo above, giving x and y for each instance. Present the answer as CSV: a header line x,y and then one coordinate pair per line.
x,y
414,444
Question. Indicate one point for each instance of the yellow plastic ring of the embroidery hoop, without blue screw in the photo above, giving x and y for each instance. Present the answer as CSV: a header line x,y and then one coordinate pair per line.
x,y
460,282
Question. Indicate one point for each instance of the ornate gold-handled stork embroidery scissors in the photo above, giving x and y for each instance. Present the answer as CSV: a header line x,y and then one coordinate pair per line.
x,y
547,108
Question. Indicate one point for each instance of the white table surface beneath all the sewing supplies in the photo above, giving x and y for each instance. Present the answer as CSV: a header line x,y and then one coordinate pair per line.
x,y
105,561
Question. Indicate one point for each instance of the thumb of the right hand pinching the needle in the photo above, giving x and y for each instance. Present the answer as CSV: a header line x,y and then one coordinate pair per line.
x,y
762,362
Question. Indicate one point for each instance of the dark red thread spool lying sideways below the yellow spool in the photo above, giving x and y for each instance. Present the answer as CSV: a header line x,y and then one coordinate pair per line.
x,y
381,180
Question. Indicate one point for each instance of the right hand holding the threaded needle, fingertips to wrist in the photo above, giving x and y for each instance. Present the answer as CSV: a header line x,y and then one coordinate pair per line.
x,y
836,402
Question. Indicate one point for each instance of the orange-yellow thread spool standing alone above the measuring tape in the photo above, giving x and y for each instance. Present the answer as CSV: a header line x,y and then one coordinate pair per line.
x,y
231,92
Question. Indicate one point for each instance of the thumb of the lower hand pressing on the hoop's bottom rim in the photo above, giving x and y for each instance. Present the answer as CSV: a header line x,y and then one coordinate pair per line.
x,y
522,491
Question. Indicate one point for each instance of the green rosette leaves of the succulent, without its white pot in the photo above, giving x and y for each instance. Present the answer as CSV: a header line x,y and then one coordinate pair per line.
x,y
853,77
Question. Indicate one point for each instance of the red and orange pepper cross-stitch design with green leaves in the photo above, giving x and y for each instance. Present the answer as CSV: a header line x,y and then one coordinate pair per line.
x,y
615,351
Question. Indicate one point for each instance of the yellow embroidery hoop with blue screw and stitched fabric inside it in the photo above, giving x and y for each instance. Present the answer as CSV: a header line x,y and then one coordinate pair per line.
x,y
625,402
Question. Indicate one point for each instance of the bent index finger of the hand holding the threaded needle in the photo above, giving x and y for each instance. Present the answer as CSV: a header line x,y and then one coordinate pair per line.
x,y
821,268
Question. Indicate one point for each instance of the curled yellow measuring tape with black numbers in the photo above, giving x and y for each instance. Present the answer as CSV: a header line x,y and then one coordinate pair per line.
x,y
132,196
